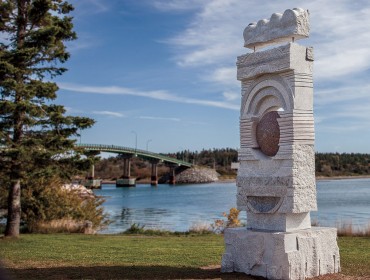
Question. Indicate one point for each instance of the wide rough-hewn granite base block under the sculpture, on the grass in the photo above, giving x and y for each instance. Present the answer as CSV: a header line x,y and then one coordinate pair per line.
x,y
281,255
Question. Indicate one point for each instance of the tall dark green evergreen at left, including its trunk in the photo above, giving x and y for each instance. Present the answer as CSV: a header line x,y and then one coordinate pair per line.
x,y
35,134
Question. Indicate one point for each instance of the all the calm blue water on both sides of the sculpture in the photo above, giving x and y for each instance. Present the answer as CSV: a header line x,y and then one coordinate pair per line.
x,y
177,208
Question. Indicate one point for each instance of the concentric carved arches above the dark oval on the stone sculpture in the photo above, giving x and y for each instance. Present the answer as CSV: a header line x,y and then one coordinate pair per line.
x,y
268,85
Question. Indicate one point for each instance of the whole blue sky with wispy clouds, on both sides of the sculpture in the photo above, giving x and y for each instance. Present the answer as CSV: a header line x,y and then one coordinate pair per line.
x,y
161,74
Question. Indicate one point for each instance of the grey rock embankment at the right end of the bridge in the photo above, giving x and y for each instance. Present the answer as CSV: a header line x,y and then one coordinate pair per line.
x,y
196,175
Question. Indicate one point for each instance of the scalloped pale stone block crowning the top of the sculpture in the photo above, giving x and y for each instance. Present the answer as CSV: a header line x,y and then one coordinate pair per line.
x,y
280,28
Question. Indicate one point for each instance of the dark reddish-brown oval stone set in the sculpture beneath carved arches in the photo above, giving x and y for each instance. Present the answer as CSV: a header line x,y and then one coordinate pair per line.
x,y
268,133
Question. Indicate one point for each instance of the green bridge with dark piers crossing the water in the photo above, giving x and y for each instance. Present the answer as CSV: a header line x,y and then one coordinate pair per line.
x,y
129,153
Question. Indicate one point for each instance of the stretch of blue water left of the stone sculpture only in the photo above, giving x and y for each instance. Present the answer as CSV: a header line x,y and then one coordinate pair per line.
x,y
175,208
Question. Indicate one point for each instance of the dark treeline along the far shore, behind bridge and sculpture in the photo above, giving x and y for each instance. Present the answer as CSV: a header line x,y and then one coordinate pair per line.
x,y
327,164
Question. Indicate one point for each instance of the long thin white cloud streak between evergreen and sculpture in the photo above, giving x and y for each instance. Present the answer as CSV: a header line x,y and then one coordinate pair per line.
x,y
156,94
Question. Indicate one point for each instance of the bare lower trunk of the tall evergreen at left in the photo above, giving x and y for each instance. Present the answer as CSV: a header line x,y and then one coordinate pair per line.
x,y
14,210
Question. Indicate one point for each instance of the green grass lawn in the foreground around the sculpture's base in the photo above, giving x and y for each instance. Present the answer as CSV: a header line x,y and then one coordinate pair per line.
x,y
74,256
